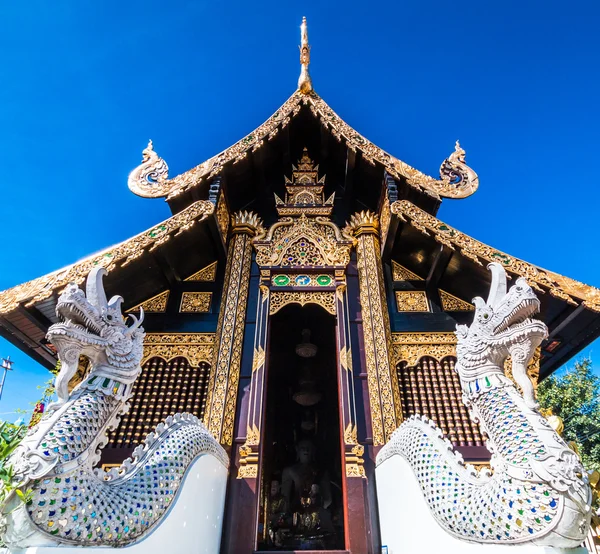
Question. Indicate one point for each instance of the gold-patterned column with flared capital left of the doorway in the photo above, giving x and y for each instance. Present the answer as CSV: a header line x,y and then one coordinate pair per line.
x,y
223,385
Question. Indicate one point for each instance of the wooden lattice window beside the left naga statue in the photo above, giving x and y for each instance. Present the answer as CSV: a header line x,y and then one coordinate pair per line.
x,y
162,389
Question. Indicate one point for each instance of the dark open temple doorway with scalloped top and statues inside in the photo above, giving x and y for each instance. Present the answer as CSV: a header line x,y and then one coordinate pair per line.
x,y
301,500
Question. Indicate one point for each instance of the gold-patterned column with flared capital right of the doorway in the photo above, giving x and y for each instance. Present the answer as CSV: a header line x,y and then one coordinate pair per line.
x,y
382,381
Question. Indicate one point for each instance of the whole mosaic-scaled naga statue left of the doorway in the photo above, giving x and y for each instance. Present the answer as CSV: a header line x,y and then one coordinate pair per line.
x,y
70,501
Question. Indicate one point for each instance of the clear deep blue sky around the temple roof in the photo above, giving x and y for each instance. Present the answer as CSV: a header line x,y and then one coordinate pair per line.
x,y
86,84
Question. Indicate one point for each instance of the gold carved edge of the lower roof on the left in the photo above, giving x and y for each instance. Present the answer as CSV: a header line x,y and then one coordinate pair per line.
x,y
123,253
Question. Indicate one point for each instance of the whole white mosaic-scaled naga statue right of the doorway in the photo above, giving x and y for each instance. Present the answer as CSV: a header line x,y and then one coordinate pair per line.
x,y
538,491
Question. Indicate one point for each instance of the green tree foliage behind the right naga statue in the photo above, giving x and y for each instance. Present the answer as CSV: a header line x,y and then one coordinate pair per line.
x,y
574,396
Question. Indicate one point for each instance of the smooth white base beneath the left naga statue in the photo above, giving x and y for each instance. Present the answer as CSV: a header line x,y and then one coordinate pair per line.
x,y
192,526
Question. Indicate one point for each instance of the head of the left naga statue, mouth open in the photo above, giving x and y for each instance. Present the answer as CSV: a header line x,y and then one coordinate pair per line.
x,y
95,328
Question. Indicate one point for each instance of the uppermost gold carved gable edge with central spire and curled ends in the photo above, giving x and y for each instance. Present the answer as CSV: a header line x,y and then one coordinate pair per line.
x,y
151,178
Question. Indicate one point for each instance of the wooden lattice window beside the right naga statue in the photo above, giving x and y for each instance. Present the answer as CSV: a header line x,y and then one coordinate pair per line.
x,y
432,388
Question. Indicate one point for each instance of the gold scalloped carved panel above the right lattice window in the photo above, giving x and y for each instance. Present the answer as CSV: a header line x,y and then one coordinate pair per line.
x,y
411,347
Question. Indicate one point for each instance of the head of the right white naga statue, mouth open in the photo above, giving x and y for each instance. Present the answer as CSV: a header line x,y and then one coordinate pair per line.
x,y
502,327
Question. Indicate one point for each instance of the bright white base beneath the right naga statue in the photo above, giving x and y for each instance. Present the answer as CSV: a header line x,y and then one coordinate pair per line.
x,y
408,526
